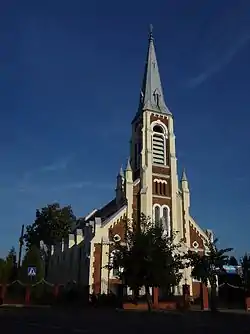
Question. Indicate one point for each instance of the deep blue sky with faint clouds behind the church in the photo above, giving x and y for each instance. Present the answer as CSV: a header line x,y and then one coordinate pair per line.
x,y
70,75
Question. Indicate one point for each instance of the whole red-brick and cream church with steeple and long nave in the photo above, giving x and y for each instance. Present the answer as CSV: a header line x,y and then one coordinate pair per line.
x,y
148,185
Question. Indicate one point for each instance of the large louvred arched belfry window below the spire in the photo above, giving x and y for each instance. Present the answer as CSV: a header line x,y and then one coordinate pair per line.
x,y
159,145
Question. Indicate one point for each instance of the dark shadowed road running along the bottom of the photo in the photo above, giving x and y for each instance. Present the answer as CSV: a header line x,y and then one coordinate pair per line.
x,y
49,321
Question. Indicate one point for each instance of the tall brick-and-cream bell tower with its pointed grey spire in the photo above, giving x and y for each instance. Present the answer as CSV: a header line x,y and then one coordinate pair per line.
x,y
153,155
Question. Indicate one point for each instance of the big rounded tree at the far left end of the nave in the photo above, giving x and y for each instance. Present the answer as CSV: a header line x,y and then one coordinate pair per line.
x,y
52,223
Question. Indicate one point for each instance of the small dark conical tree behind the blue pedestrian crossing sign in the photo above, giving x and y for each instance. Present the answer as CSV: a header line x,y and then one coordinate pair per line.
x,y
32,258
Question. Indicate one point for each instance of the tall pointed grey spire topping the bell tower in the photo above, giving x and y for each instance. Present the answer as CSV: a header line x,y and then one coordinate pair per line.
x,y
151,92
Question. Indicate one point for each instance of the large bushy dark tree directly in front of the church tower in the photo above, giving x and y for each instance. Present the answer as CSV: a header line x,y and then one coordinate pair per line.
x,y
149,258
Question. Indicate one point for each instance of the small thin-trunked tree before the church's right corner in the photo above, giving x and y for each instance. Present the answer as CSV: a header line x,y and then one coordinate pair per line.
x,y
205,267
